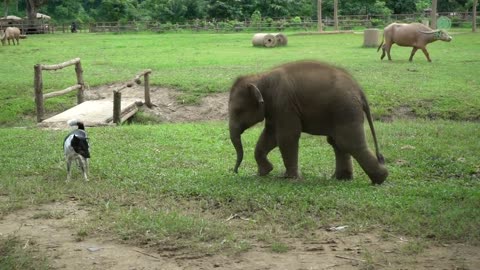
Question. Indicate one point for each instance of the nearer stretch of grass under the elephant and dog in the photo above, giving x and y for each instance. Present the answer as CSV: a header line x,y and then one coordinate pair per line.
x,y
174,181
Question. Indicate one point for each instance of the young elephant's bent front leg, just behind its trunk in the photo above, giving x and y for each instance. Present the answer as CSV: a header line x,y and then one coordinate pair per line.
x,y
265,144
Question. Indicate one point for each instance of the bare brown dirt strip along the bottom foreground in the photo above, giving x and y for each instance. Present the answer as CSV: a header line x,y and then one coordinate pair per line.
x,y
50,228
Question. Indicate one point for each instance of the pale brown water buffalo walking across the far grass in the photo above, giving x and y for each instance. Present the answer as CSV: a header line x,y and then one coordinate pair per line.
x,y
414,35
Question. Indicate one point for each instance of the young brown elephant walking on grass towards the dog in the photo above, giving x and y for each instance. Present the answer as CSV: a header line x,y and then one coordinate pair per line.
x,y
306,96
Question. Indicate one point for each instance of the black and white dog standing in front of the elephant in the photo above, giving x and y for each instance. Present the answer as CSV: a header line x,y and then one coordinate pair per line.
x,y
75,147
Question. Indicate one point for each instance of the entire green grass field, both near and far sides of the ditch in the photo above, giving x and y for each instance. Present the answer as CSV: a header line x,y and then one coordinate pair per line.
x,y
175,180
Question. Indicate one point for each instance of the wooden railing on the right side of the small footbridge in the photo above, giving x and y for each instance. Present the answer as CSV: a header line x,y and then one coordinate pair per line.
x,y
117,95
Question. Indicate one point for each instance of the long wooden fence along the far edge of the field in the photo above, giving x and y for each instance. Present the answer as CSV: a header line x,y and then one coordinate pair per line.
x,y
345,22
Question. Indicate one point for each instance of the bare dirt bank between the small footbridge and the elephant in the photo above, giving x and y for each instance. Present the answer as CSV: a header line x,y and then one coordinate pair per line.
x,y
168,107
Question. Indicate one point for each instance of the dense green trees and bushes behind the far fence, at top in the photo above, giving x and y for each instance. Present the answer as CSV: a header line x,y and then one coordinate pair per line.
x,y
178,11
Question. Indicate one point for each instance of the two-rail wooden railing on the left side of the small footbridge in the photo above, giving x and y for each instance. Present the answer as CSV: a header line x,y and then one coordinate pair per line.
x,y
38,85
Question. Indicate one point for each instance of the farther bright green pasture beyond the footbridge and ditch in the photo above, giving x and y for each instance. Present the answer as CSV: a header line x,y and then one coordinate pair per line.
x,y
202,63
